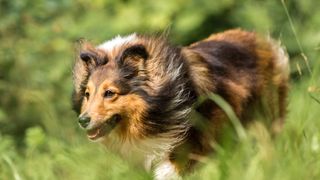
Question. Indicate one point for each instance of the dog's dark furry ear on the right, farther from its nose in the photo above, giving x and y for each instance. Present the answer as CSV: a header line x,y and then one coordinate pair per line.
x,y
132,60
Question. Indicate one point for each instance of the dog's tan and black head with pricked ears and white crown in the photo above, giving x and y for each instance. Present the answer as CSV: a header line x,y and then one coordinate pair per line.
x,y
105,82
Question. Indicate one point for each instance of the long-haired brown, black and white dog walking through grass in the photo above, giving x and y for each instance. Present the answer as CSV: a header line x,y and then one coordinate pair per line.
x,y
137,94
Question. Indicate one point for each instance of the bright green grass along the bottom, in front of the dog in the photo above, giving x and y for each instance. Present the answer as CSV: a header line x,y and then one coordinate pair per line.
x,y
294,154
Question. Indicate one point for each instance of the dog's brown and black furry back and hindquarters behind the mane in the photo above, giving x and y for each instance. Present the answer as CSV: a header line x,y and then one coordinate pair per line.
x,y
250,72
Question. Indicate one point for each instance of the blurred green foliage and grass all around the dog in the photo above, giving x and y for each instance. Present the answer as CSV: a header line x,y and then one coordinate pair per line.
x,y
39,134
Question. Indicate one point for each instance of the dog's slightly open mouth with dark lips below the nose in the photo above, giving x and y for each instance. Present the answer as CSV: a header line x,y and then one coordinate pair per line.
x,y
104,128
